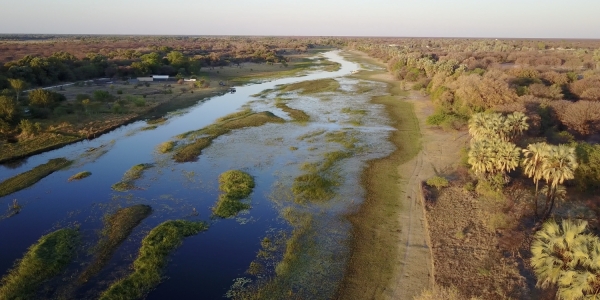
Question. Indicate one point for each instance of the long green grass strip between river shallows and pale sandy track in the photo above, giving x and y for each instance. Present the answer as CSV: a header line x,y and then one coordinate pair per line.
x,y
375,226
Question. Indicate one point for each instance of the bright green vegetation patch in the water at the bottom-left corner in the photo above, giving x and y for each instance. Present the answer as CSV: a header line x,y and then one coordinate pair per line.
x,y
44,260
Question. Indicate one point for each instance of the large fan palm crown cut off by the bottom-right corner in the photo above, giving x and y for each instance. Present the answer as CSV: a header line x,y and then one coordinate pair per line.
x,y
567,257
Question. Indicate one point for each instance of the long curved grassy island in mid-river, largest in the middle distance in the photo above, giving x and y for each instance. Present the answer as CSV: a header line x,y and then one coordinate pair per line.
x,y
203,138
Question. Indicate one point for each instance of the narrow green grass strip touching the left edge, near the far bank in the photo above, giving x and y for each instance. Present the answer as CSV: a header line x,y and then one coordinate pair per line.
x,y
29,178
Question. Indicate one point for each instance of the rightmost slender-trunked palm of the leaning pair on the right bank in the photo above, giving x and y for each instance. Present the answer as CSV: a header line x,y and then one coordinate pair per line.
x,y
558,167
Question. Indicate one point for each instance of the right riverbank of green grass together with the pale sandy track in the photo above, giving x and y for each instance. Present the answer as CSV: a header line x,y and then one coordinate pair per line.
x,y
391,257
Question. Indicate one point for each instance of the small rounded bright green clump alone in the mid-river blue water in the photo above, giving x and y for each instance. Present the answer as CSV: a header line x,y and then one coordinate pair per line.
x,y
236,185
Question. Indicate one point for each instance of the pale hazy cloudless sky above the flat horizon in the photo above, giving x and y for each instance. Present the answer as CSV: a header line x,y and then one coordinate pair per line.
x,y
431,18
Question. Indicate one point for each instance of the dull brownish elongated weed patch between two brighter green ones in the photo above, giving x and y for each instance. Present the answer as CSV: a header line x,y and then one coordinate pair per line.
x,y
117,227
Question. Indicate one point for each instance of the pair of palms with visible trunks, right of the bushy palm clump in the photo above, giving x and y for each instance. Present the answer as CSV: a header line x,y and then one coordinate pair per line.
x,y
553,164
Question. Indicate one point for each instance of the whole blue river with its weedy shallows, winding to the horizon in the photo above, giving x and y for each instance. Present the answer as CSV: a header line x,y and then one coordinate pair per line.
x,y
207,265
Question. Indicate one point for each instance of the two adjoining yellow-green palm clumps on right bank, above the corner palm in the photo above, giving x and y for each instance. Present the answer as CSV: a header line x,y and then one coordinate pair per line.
x,y
493,152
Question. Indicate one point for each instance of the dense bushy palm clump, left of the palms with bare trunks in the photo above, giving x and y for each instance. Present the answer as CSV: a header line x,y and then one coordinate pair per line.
x,y
492,151
